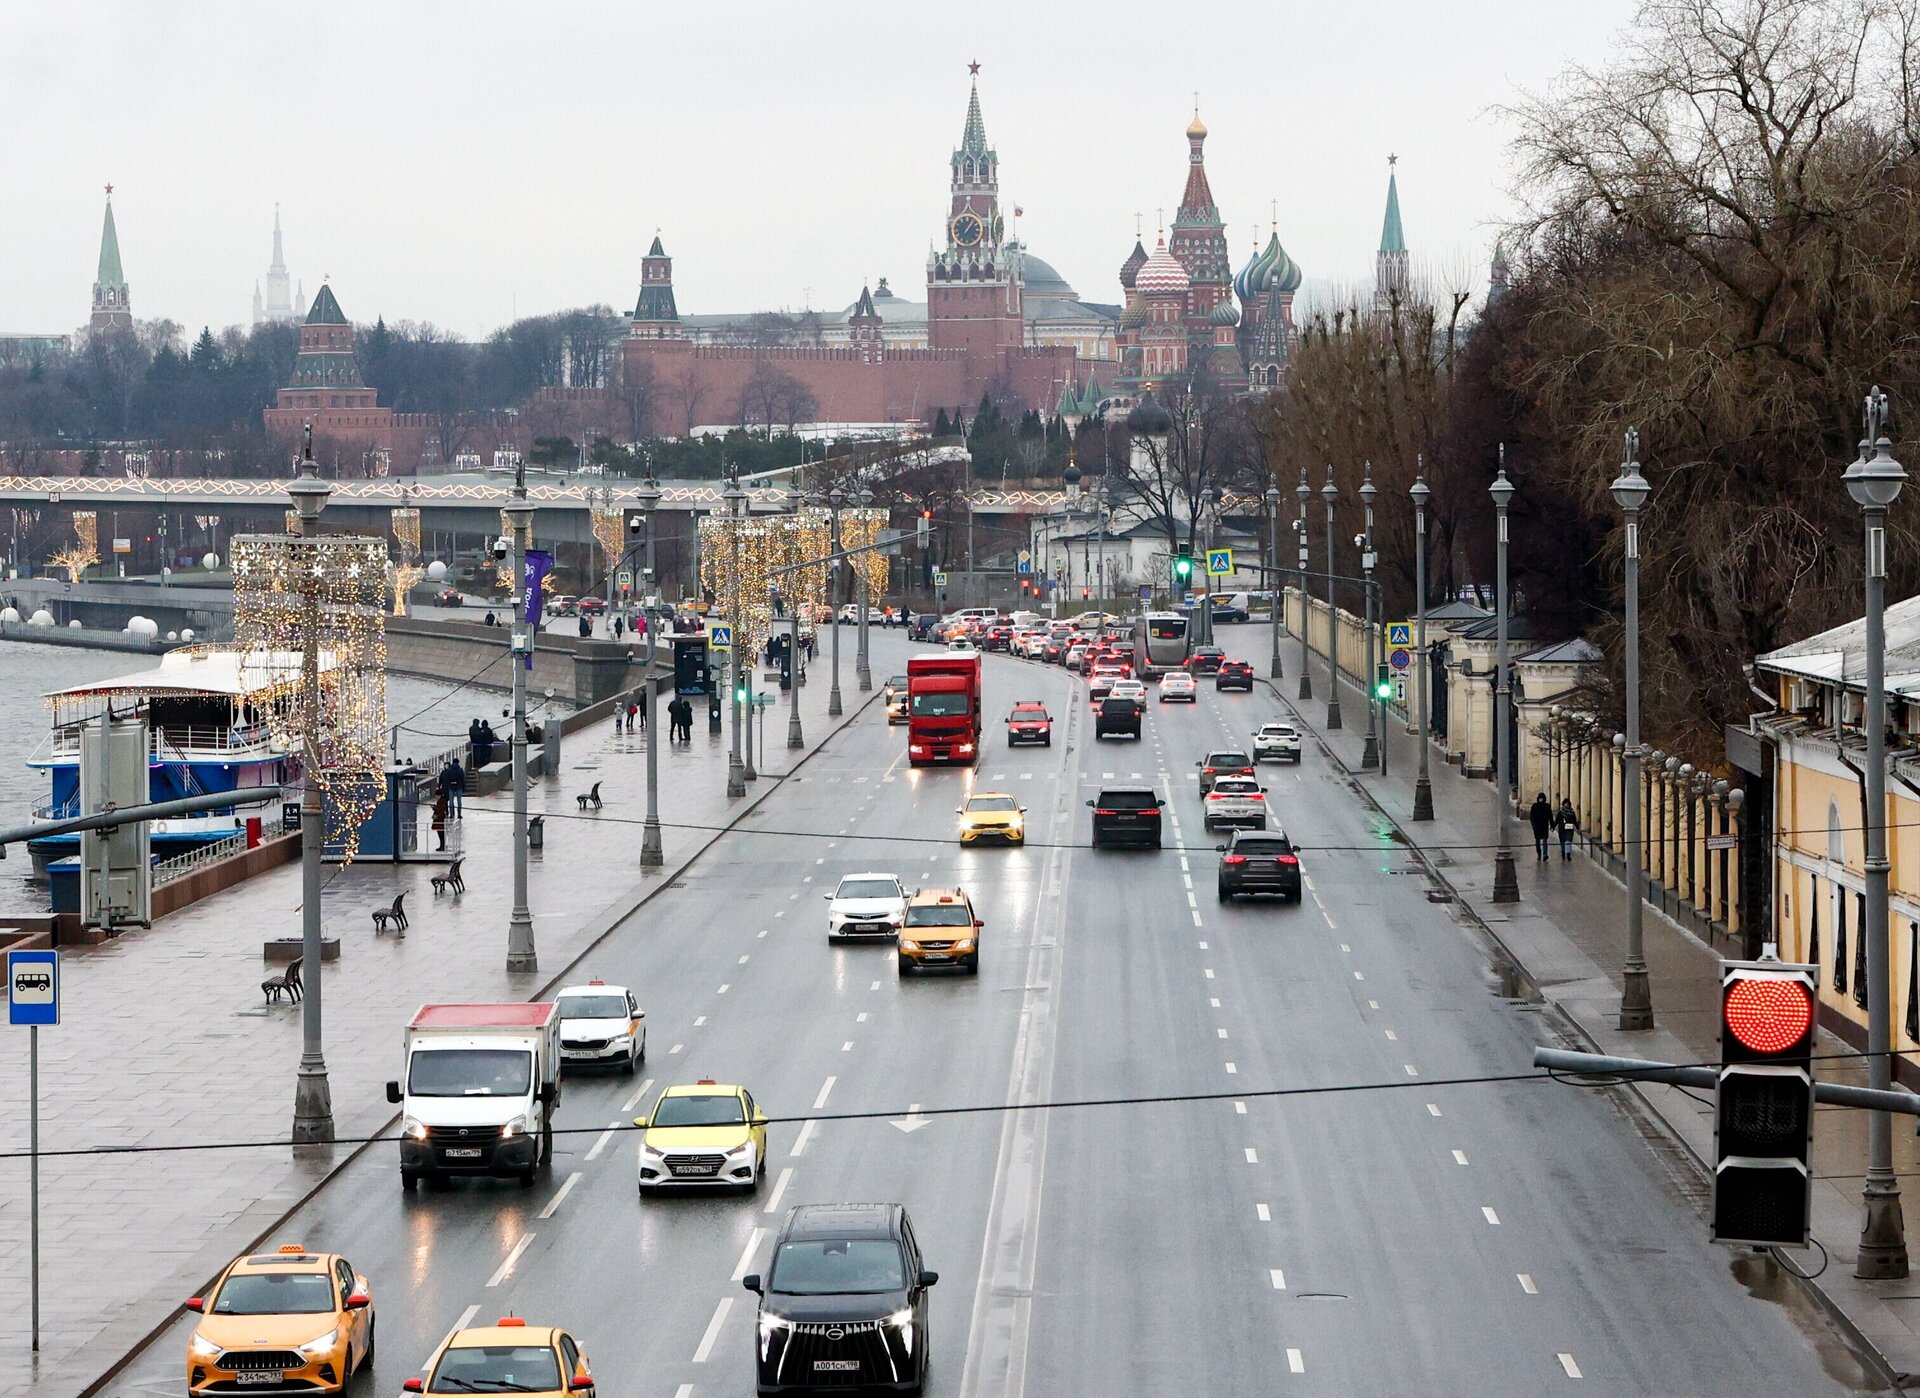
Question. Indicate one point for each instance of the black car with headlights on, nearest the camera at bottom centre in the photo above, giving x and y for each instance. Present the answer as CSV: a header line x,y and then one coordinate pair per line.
x,y
846,1303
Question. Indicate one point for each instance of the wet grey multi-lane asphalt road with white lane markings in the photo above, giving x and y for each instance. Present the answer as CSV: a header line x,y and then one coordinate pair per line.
x,y
1410,1238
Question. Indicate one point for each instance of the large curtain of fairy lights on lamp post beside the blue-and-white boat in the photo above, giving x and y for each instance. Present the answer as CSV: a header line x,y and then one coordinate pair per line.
x,y
329,592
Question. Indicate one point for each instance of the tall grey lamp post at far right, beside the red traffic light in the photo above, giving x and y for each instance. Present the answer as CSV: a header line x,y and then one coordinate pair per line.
x,y
1875,483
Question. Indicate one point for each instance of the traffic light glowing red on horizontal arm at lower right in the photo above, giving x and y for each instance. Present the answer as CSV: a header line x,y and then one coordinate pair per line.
x,y
1764,1107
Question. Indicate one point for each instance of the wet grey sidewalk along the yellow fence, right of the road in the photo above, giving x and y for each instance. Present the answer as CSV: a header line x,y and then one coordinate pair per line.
x,y
1568,936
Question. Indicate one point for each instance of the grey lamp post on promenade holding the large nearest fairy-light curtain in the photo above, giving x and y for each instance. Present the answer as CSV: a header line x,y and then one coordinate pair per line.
x,y
314,1101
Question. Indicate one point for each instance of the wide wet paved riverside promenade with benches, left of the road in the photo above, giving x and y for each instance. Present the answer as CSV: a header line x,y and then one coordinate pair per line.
x,y
166,1038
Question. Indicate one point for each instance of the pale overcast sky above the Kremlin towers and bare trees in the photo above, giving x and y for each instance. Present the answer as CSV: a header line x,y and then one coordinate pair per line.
x,y
468,162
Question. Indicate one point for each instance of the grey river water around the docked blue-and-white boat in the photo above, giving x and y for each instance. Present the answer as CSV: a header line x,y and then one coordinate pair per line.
x,y
431,713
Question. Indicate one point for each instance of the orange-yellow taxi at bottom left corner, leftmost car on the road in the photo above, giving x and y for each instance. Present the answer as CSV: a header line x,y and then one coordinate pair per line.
x,y
289,1322
